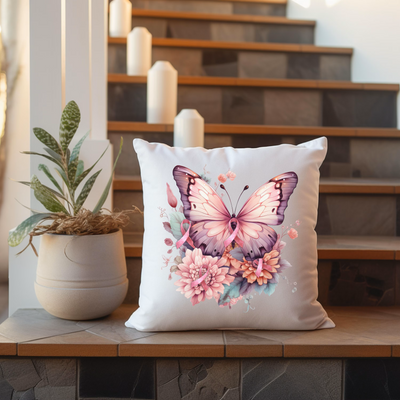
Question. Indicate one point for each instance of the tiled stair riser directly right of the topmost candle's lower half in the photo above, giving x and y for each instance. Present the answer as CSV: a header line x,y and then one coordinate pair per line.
x,y
226,31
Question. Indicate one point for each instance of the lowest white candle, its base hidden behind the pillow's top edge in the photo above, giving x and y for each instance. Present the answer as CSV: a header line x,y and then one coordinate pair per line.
x,y
189,129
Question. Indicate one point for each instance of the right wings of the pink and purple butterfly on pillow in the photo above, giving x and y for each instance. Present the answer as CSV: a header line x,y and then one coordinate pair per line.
x,y
266,206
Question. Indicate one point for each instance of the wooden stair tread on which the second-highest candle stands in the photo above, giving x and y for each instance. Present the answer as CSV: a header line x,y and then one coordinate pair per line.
x,y
252,82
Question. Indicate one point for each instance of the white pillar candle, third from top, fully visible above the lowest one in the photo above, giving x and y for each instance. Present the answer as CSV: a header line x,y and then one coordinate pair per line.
x,y
162,93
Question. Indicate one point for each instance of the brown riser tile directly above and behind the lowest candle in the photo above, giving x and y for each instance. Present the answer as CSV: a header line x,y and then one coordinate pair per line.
x,y
205,99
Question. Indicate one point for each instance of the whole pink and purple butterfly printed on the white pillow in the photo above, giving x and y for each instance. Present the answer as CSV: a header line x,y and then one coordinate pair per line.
x,y
212,223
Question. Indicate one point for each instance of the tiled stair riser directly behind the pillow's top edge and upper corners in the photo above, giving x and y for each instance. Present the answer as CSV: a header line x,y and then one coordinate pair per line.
x,y
347,157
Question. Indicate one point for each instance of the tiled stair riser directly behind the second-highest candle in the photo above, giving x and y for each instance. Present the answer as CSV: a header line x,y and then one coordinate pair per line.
x,y
242,64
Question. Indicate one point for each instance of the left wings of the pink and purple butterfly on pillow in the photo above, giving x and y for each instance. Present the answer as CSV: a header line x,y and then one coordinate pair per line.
x,y
204,209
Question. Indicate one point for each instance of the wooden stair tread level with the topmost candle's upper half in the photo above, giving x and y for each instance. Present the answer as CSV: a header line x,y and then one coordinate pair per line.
x,y
258,19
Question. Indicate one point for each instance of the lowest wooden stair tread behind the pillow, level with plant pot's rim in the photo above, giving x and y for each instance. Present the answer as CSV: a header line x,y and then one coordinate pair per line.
x,y
329,247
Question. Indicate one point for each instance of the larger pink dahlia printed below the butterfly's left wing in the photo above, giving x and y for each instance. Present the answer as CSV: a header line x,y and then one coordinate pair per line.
x,y
195,266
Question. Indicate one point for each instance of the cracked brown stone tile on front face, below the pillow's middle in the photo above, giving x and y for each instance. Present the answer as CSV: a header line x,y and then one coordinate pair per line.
x,y
198,379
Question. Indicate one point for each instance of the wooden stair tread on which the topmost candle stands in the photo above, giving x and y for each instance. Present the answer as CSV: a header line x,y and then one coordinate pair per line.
x,y
251,46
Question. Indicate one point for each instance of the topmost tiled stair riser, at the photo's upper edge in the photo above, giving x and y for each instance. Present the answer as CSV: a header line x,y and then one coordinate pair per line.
x,y
212,7
